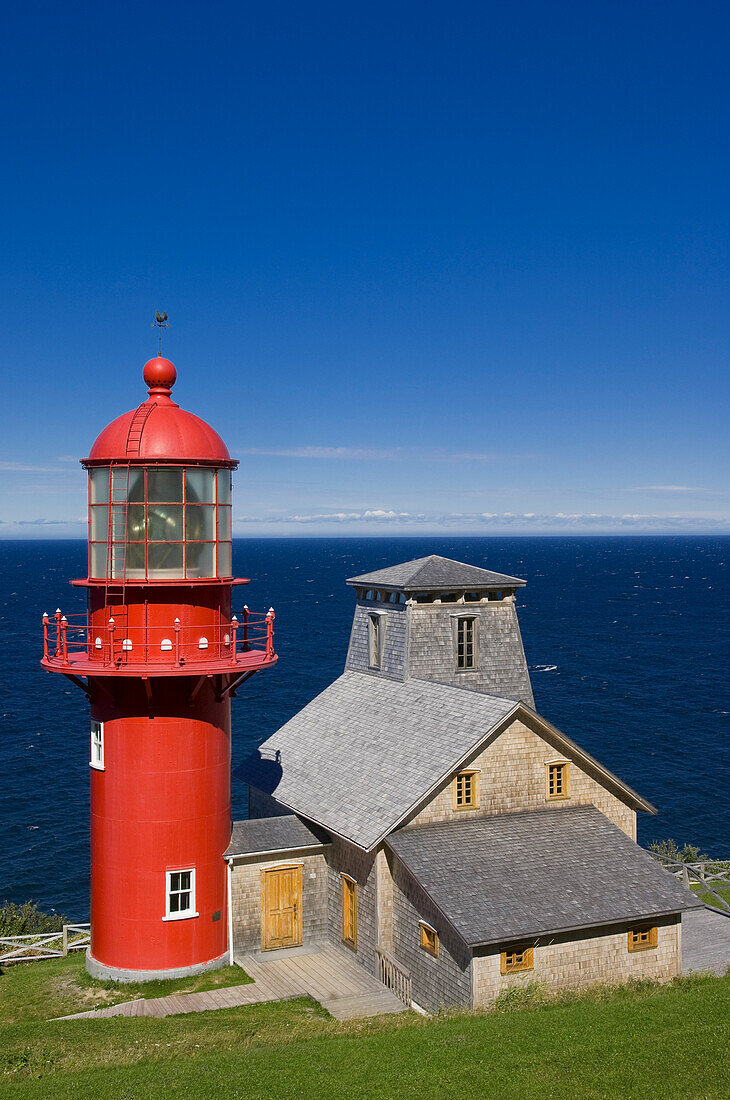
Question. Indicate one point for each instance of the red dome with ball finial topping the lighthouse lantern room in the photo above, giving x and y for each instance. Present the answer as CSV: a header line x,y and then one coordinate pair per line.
x,y
160,431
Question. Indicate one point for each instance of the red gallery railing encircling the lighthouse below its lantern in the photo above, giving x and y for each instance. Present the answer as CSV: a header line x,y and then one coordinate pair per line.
x,y
71,641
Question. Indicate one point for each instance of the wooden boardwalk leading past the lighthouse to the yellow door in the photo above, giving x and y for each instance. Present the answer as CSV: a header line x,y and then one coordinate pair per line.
x,y
325,974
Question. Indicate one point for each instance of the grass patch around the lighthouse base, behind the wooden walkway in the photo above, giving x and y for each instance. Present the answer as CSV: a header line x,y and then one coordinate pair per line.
x,y
59,987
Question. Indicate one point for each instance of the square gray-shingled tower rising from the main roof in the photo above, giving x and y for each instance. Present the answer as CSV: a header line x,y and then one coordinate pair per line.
x,y
435,619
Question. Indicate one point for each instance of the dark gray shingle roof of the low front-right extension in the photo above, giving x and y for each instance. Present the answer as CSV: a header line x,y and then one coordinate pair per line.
x,y
515,876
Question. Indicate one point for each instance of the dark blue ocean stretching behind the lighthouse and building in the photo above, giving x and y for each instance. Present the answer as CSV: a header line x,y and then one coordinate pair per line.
x,y
628,642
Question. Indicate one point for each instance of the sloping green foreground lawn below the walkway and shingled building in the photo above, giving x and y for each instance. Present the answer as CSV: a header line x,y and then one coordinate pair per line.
x,y
645,1042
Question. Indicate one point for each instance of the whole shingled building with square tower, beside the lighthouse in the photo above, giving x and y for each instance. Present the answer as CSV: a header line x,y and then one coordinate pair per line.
x,y
422,815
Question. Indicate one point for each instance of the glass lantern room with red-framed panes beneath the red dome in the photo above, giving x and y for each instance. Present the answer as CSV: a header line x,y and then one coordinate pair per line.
x,y
160,523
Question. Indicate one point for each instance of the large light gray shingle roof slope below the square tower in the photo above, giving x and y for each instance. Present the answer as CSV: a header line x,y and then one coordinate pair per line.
x,y
367,751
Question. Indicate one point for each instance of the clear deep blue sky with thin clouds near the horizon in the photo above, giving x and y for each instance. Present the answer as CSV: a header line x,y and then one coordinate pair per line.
x,y
428,267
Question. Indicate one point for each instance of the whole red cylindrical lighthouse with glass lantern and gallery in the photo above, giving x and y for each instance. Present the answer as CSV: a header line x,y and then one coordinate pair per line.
x,y
159,655
